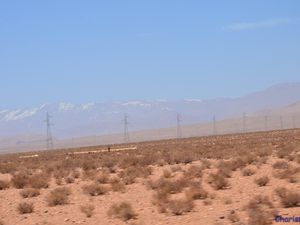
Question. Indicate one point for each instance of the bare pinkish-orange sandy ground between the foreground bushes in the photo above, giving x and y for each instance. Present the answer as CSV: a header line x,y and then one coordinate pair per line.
x,y
241,190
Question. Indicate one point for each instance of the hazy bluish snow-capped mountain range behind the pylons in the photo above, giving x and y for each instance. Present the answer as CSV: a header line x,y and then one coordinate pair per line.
x,y
76,120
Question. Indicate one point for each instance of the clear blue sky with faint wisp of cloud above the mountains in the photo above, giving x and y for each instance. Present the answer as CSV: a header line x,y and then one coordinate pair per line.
x,y
83,51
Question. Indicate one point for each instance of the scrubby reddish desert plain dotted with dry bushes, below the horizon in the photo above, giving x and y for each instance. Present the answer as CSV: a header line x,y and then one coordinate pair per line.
x,y
231,179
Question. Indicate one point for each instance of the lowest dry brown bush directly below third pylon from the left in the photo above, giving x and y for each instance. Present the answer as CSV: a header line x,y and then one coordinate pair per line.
x,y
181,206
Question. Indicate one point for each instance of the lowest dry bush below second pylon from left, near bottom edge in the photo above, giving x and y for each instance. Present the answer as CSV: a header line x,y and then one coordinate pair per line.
x,y
122,211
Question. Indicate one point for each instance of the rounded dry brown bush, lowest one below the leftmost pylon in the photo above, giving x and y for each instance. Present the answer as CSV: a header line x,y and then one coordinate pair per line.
x,y
58,196
